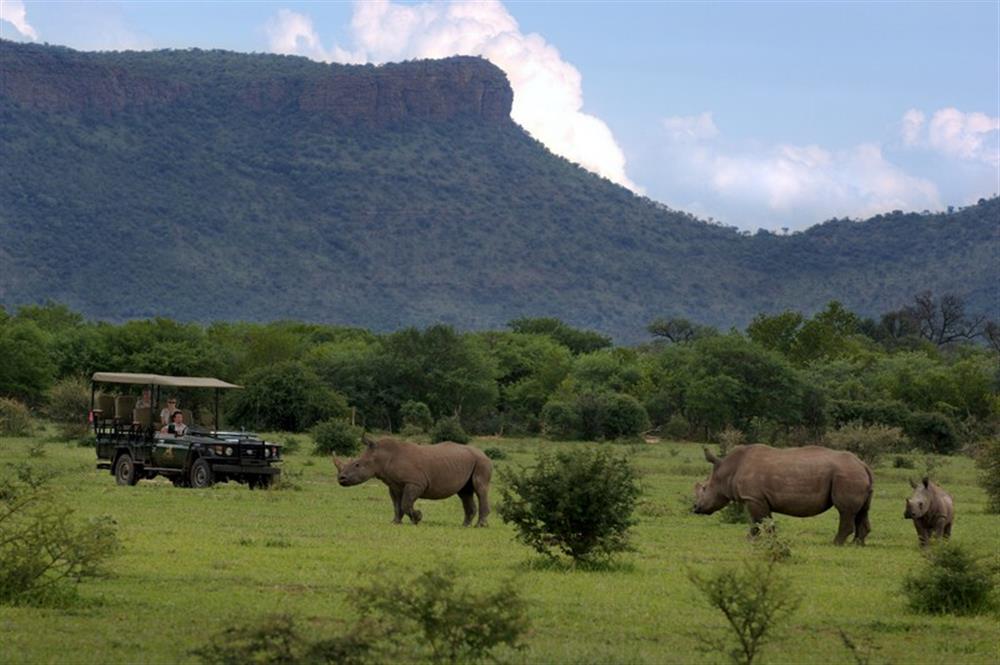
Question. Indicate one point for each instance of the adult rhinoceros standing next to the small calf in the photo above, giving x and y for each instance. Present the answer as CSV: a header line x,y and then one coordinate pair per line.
x,y
801,482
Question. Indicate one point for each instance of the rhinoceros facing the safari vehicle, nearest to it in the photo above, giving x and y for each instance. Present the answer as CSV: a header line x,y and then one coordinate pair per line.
x,y
422,472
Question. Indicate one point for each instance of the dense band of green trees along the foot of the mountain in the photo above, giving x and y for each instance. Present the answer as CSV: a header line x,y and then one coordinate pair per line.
x,y
929,369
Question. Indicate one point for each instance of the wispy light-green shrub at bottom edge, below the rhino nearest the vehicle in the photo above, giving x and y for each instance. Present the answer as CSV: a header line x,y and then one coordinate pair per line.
x,y
455,623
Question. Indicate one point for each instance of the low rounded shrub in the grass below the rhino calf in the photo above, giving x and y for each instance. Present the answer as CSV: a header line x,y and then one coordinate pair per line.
x,y
953,581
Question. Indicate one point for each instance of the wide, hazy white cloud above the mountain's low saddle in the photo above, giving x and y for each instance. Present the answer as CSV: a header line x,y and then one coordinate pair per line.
x,y
783,184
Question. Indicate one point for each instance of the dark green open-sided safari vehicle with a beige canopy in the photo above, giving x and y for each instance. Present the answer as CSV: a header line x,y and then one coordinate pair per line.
x,y
131,446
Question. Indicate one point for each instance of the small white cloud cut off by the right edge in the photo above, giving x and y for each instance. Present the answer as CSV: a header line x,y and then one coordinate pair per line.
x,y
967,136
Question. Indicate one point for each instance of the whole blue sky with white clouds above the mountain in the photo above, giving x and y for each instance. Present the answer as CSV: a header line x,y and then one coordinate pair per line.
x,y
755,114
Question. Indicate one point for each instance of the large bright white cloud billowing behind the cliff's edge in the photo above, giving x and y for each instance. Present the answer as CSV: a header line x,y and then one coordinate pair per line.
x,y
548,92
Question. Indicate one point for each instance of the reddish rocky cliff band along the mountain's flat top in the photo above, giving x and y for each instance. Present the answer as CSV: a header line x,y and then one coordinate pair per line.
x,y
62,80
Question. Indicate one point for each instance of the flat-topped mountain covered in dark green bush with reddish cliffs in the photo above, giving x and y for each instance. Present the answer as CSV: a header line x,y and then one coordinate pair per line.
x,y
207,185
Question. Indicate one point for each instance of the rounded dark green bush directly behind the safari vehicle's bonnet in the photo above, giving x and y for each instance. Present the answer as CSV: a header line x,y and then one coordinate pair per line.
x,y
287,396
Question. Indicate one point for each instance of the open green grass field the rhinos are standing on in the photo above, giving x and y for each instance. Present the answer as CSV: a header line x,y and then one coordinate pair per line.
x,y
196,561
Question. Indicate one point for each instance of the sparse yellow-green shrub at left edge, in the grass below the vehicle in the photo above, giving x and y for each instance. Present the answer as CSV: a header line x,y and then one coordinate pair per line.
x,y
43,548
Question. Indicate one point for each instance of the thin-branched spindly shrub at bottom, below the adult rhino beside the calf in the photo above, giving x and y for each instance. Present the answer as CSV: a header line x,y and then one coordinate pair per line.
x,y
754,600
